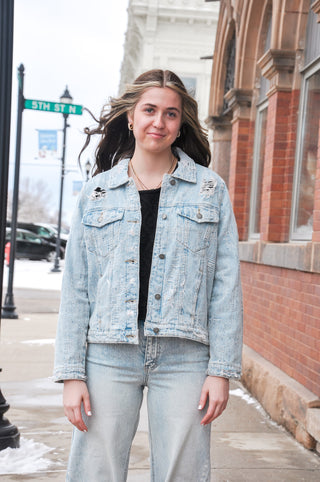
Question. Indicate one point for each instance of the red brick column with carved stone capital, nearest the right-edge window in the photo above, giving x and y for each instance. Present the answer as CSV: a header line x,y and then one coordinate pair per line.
x,y
277,66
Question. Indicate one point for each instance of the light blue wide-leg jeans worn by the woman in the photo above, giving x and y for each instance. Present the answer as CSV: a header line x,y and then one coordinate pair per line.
x,y
174,370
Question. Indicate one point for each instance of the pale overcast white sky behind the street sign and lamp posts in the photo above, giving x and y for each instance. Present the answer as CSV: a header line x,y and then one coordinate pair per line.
x,y
78,43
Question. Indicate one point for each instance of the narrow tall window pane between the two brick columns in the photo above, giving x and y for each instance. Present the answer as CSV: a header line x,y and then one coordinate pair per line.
x,y
257,169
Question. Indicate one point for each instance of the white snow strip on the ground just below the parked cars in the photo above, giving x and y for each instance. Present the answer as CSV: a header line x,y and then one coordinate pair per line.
x,y
34,275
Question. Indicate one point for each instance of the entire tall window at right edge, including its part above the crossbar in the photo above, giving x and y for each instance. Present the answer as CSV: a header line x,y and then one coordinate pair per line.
x,y
307,136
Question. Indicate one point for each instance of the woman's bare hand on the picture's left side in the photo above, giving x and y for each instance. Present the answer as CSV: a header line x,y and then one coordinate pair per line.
x,y
75,393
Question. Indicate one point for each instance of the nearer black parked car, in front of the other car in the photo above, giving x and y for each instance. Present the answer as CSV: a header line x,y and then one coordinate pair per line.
x,y
31,246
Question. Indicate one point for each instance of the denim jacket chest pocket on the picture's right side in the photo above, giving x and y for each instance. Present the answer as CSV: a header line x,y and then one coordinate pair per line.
x,y
197,226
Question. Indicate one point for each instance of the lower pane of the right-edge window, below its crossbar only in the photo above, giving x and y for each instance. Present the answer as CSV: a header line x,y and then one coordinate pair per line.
x,y
307,145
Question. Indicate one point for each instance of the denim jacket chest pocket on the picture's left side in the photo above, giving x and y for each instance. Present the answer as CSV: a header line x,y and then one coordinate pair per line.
x,y
101,230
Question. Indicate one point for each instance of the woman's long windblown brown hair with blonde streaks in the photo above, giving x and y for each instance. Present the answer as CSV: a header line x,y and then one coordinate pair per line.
x,y
118,142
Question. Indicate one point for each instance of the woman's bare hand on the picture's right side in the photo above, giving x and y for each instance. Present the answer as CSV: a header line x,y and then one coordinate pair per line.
x,y
217,389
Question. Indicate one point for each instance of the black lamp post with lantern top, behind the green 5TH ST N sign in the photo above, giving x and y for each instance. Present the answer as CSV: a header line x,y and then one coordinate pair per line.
x,y
65,99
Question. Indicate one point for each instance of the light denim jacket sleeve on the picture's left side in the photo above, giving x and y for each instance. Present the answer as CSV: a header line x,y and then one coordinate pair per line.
x,y
70,348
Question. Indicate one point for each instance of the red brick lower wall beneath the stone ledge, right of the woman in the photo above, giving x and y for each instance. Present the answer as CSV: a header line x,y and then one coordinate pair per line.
x,y
282,319
